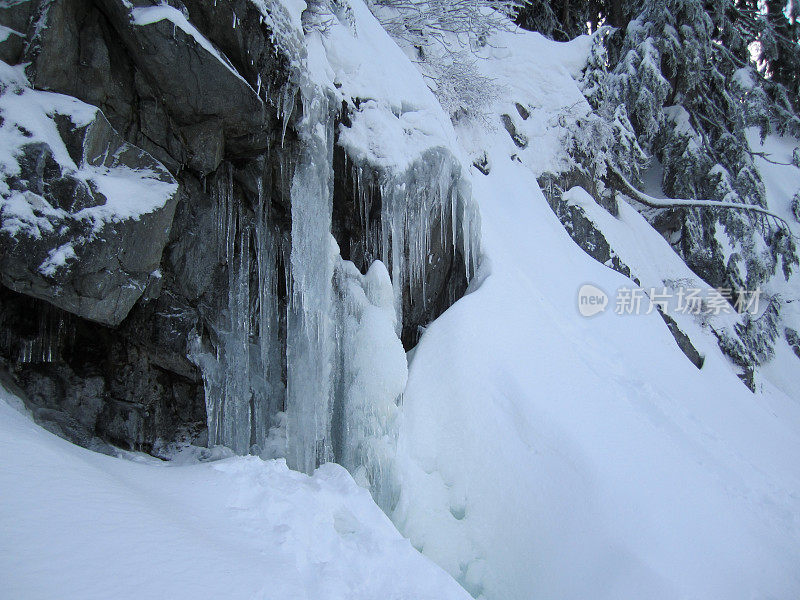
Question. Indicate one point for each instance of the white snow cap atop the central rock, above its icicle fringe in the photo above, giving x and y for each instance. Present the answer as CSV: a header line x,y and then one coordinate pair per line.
x,y
394,117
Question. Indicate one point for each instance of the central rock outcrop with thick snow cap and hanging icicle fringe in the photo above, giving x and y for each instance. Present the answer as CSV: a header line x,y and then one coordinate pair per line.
x,y
400,176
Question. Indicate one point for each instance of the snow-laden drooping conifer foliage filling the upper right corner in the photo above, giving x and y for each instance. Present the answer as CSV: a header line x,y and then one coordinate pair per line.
x,y
678,83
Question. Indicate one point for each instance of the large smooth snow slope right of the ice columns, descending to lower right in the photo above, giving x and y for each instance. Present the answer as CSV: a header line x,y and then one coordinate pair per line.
x,y
546,455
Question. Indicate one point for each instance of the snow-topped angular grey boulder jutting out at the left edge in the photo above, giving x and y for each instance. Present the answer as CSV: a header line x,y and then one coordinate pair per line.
x,y
84,215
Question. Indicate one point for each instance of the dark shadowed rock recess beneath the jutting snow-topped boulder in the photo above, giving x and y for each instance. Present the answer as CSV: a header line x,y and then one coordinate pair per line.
x,y
87,383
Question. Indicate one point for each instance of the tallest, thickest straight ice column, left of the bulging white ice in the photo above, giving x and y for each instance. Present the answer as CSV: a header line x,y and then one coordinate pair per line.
x,y
310,333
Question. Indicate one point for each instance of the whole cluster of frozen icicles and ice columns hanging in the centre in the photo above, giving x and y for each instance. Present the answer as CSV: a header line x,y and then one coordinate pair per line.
x,y
323,380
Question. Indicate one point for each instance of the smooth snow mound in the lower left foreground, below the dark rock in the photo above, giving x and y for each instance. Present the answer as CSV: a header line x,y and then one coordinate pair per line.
x,y
81,525
